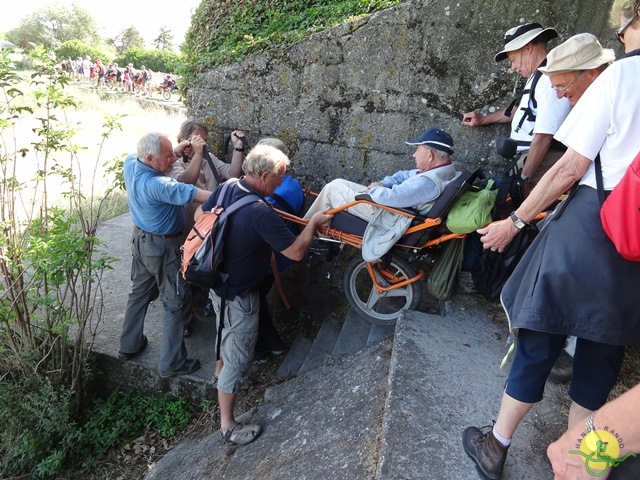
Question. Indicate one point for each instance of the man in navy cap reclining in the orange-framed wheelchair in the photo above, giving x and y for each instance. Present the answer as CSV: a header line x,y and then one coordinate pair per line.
x,y
417,188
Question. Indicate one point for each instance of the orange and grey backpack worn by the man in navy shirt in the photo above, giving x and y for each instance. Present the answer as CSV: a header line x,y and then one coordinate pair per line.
x,y
202,252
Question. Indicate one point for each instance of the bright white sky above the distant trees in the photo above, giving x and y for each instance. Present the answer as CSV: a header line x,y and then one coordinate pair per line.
x,y
113,16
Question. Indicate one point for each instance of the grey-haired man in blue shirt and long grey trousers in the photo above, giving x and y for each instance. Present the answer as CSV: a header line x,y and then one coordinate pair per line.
x,y
157,204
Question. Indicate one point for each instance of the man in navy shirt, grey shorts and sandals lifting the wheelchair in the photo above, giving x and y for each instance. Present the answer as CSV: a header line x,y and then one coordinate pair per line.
x,y
252,233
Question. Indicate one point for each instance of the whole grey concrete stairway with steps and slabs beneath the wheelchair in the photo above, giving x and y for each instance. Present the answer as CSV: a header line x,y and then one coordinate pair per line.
x,y
394,409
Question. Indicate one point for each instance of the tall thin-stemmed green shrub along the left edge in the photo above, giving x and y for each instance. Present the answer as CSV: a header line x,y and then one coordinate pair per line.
x,y
51,267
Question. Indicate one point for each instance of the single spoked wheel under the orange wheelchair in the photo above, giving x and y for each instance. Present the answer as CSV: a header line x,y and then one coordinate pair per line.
x,y
384,308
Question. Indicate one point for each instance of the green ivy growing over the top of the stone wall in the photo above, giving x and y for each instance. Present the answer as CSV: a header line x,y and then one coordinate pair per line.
x,y
223,32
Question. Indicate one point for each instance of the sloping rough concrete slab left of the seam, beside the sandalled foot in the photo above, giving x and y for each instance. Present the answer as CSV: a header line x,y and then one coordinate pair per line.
x,y
322,425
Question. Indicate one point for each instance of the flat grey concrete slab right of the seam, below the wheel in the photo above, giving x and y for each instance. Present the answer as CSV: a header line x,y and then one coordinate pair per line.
x,y
445,376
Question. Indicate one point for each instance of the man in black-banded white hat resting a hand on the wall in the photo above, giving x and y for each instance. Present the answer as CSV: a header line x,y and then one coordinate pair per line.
x,y
538,113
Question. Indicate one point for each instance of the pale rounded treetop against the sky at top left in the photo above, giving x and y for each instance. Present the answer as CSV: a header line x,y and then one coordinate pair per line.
x,y
55,23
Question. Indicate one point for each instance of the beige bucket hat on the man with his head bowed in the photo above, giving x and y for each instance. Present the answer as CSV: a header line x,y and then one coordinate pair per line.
x,y
580,52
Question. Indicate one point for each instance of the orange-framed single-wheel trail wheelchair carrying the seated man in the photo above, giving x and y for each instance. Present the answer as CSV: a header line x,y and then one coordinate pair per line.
x,y
381,290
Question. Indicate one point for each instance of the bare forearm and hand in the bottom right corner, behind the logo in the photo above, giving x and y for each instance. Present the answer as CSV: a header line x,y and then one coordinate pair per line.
x,y
619,415
